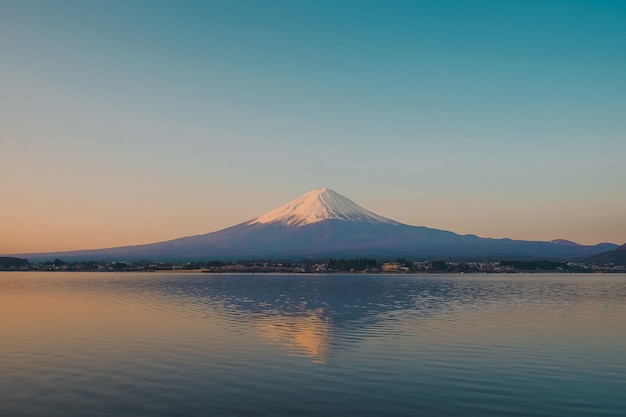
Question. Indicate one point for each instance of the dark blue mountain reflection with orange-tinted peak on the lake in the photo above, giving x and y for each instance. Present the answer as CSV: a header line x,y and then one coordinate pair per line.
x,y
312,315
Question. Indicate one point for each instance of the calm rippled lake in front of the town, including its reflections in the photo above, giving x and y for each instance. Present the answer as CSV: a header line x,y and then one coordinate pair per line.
x,y
98,344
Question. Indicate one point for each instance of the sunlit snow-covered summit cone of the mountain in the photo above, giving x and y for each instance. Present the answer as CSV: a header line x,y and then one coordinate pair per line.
x,y
318,205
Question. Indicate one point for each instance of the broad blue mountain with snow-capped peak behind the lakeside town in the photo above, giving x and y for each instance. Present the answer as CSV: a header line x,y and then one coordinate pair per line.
x,y
323,223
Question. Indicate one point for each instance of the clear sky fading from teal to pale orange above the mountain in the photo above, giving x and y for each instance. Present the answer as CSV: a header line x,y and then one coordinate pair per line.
x,y
129,122
